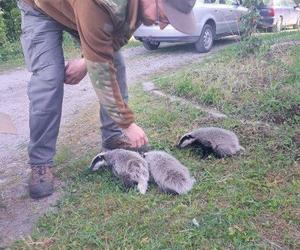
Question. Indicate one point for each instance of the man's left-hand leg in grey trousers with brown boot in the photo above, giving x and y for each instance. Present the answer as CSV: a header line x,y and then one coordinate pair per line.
x,y
42,45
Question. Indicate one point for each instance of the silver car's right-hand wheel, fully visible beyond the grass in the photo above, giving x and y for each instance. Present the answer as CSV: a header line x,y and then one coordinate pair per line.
x,y
205,42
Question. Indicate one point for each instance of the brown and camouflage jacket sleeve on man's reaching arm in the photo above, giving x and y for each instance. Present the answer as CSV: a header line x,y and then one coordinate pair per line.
x,y
95,30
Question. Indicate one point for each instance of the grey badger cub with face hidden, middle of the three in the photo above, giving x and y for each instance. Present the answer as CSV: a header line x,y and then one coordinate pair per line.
x,y
169,174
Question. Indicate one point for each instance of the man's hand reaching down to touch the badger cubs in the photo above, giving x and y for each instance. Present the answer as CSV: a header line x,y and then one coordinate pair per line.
x,y
136,136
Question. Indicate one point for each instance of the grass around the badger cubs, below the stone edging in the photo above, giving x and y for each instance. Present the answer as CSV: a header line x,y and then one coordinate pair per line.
x,y
237,202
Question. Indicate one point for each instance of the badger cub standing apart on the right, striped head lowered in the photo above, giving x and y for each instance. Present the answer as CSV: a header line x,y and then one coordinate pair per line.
x,y
219,141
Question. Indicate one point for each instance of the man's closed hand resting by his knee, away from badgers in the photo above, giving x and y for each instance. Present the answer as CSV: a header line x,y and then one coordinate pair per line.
x,y
75,71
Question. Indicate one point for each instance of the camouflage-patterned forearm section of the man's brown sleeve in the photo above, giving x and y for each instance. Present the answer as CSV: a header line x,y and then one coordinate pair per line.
x,y
109,95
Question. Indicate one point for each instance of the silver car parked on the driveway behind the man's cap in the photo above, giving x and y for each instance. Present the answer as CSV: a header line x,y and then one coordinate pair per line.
x,y
215,19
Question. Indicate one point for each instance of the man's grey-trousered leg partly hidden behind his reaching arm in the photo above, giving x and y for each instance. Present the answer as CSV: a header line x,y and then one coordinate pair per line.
x,y
110,131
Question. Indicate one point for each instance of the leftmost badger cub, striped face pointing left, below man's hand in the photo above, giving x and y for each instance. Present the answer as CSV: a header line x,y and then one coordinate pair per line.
x,y
128,166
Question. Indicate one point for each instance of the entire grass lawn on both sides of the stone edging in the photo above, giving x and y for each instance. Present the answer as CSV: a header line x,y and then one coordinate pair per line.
x,y
249,201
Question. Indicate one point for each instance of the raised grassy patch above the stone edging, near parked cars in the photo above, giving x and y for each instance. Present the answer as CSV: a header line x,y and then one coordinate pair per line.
x,y
264,86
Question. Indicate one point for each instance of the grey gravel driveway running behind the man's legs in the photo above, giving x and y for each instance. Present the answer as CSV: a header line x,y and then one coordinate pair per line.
x,y
18,212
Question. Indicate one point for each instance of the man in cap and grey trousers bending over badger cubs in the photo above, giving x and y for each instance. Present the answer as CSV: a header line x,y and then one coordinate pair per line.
x,y
103,27
